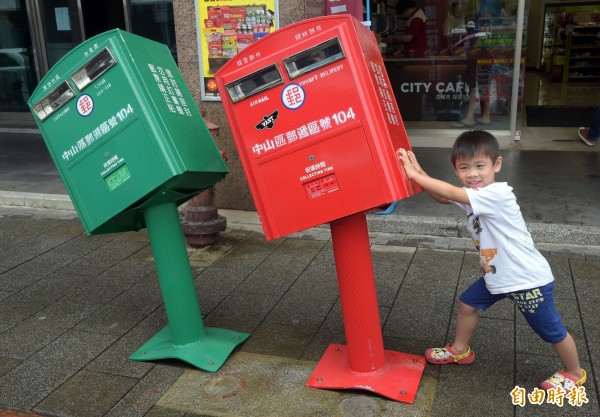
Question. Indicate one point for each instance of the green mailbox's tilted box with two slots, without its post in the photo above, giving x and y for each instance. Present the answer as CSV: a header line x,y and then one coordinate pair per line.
x,y
123,130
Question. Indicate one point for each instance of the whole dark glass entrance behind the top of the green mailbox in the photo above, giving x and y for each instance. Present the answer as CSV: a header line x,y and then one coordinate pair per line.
x,y
36,34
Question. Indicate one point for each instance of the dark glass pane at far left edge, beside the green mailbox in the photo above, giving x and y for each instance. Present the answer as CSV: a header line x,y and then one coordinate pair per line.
x,y
17,74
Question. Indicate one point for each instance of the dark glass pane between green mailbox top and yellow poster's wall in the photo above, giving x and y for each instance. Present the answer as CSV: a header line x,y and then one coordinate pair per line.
x,y
153,19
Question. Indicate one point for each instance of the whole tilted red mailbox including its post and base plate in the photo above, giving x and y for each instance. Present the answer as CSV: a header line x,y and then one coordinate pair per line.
x,y
316,125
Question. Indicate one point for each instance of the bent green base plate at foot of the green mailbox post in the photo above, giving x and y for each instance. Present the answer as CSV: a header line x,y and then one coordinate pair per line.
x,y
208,353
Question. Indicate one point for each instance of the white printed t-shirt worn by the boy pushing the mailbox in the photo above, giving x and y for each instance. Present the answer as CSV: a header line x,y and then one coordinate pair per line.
x,y
508,257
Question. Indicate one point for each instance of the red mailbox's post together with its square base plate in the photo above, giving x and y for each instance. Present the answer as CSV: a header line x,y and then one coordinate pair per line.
x,y
363,363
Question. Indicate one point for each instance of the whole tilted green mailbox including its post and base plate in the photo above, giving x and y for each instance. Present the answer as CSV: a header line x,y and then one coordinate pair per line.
x,y
130,145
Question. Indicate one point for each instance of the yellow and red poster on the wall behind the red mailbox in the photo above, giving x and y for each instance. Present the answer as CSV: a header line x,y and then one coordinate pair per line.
x,y
226,28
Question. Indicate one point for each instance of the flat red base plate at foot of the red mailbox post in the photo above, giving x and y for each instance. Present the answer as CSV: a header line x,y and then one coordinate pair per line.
x,y
398,379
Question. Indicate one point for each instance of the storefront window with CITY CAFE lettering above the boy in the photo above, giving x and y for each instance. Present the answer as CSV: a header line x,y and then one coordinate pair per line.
x,y
462,77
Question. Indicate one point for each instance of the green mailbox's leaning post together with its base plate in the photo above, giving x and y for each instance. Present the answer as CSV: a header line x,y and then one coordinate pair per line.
x,y
185,337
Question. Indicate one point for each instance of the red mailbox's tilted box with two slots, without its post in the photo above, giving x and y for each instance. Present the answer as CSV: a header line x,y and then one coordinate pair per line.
x,y
316,124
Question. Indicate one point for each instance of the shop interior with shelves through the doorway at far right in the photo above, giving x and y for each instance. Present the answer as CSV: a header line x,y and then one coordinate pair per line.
x,y
567,73
